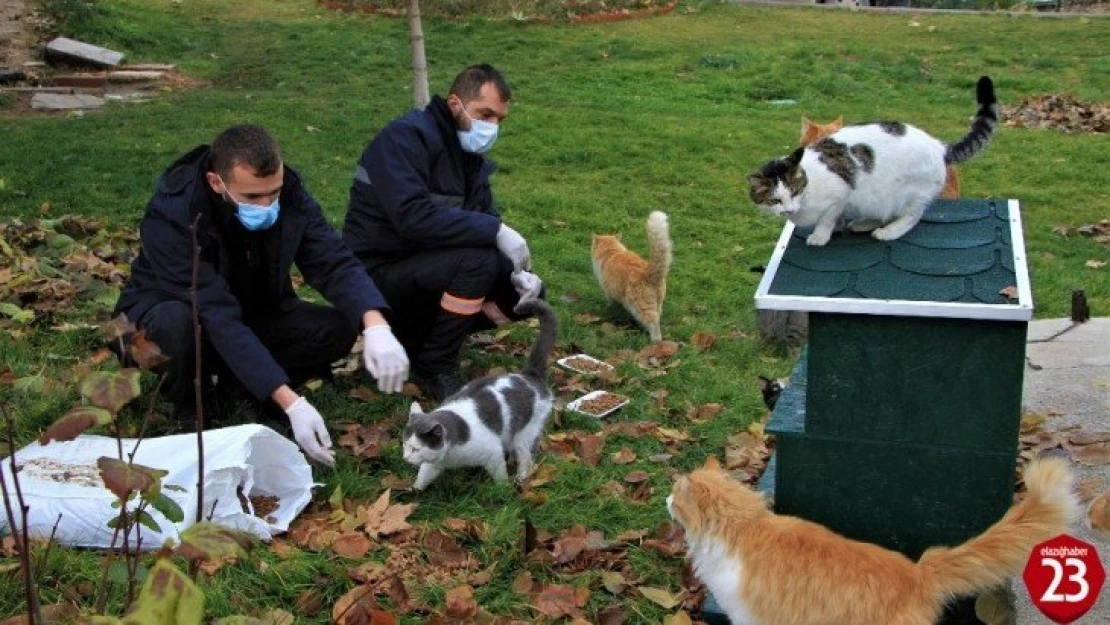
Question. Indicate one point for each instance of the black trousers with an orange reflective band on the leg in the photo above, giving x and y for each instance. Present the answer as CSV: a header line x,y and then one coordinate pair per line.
x,y
439,297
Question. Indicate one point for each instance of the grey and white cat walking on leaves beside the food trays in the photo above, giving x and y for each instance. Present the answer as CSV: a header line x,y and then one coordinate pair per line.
x,y
489,418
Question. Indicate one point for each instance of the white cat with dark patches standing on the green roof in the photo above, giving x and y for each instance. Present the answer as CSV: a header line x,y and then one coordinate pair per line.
x,y
880,176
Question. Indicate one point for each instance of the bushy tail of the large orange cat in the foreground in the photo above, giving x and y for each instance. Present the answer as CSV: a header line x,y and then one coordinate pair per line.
x,y
1001,552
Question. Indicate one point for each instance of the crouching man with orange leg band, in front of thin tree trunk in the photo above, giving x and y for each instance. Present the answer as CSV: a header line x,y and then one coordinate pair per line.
x,y
422,220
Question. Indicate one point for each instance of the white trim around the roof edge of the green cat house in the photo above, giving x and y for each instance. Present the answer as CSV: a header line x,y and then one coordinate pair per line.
x,y
1022,311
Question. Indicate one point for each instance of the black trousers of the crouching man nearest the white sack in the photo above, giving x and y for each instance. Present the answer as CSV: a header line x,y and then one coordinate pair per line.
x,y
305,339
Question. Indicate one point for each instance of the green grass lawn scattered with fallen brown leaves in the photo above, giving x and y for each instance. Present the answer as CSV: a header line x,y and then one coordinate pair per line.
x,y
609,123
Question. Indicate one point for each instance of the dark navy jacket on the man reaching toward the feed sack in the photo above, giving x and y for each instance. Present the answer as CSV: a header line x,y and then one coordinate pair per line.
x,y
165,267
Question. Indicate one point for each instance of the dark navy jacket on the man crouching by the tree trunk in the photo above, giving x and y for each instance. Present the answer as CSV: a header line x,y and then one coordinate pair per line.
x,y
416,189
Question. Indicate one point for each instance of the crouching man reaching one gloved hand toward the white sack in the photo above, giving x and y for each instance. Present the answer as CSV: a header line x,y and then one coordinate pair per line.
x,y
256,220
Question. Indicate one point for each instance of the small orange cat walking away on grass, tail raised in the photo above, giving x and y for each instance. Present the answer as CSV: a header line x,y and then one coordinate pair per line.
x,y
638,285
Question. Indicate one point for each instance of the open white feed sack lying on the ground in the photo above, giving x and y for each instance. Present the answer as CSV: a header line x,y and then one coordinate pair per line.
x,y
246,460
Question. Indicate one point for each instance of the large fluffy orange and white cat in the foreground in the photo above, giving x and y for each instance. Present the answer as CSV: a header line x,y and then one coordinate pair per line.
x,y
770,570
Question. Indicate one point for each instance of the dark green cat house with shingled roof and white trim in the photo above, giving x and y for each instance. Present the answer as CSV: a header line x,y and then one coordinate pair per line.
x,y
901,422
